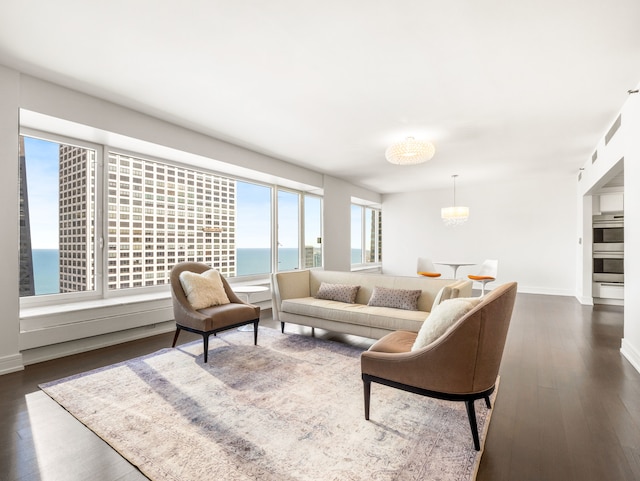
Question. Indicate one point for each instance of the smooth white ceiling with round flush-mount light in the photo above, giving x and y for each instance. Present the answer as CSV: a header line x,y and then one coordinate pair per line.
x,y
505,89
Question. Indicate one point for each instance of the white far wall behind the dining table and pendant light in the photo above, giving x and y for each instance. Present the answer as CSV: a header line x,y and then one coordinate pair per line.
x,y
529,226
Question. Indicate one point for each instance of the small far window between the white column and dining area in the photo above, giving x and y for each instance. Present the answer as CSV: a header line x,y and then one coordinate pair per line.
x,y
366,235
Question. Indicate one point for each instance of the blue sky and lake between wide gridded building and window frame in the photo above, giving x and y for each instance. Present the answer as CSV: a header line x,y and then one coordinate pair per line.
x,y
253,235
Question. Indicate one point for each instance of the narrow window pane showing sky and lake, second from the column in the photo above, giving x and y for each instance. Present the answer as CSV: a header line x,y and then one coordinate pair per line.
x,y
288,230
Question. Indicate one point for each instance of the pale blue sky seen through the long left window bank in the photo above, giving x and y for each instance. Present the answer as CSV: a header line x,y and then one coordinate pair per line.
x,y
253,211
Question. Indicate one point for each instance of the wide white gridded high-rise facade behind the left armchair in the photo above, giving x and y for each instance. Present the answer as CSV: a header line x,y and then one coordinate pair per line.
x,y
161,214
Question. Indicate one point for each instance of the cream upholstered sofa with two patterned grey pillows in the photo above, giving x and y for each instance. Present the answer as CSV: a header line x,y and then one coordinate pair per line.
x,y
294,301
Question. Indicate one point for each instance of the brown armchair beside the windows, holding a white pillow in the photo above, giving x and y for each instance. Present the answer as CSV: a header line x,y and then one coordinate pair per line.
x,y
210,320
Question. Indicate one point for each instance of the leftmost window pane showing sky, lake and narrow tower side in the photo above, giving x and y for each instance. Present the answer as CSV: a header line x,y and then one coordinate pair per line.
x,y
57,206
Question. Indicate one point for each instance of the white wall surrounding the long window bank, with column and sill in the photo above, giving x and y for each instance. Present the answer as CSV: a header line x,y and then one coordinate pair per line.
x,y
59,110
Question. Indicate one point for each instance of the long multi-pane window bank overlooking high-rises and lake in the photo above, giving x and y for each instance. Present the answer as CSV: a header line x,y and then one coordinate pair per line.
x,y
125,225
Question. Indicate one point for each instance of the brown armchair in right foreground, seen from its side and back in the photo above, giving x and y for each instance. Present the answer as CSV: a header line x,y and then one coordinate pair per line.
x,y
461,365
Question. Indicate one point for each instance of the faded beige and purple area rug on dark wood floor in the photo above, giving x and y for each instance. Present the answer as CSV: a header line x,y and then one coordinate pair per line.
x,y
288,409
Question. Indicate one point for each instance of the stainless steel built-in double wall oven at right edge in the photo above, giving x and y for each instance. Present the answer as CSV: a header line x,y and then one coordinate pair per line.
x,y
608,255
